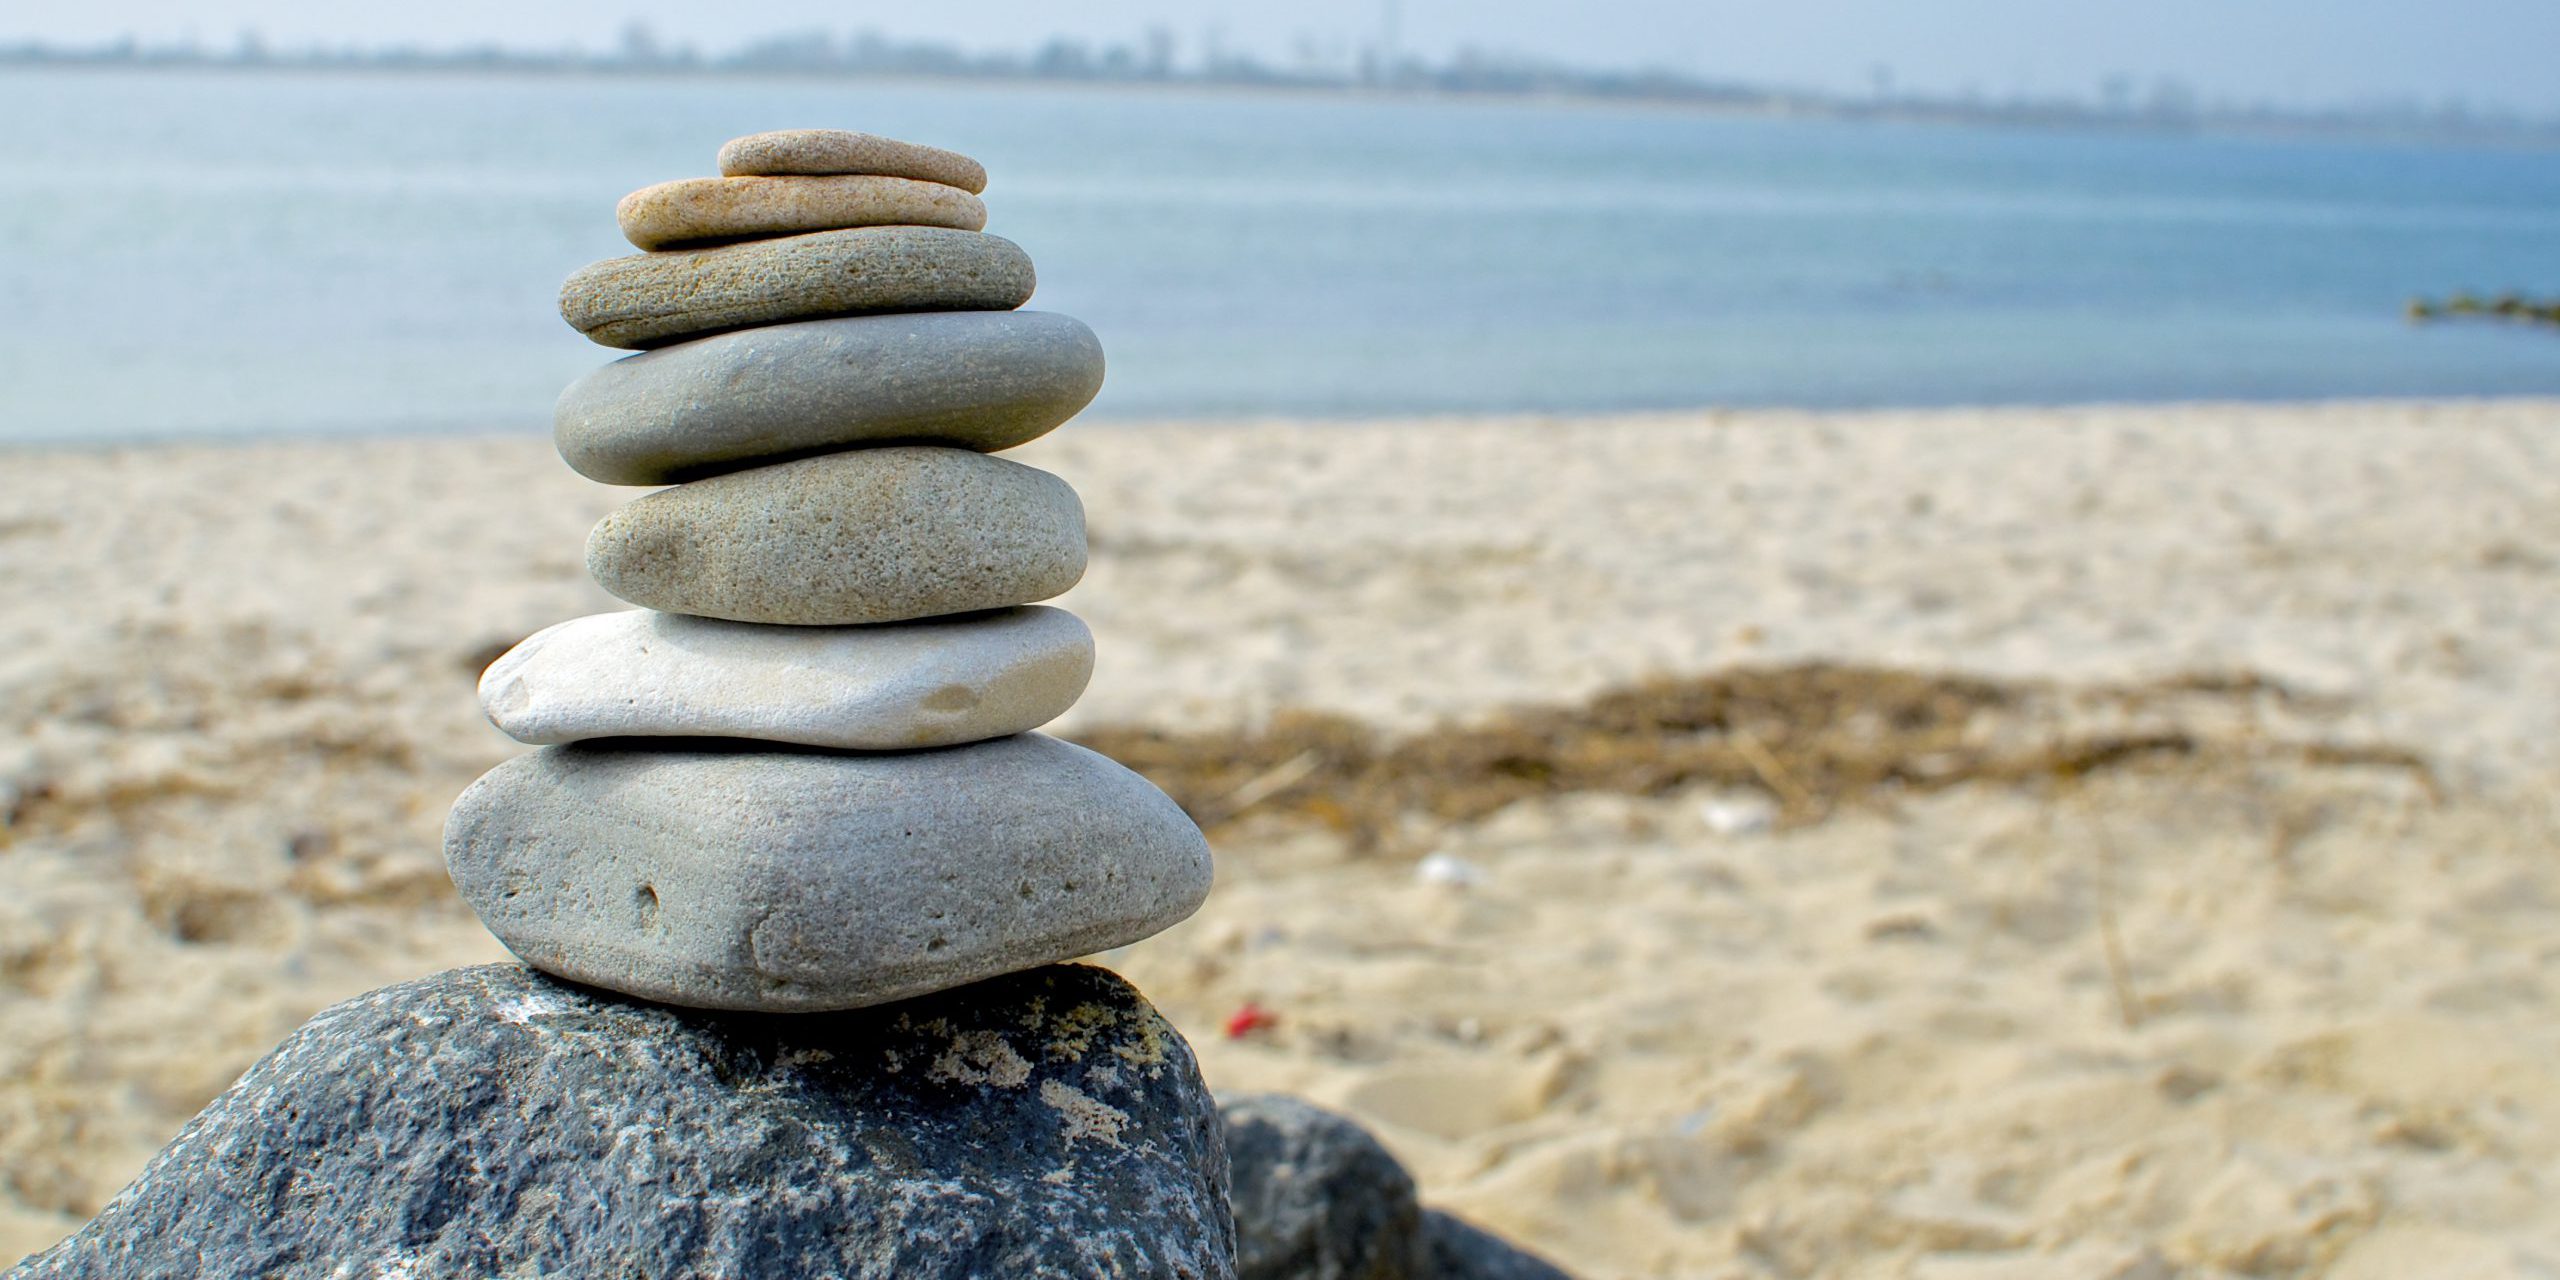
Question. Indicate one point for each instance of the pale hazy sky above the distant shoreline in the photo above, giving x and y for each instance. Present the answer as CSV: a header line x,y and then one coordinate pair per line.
x,y
2285,50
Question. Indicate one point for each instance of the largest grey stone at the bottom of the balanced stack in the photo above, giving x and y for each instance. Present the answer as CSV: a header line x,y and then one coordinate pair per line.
x,y
774,879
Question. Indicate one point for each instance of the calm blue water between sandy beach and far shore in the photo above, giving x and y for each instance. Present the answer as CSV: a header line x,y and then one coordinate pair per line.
x,y
247,255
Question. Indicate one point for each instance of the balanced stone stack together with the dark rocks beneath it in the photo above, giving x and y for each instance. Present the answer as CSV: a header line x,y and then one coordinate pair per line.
x,y
800,780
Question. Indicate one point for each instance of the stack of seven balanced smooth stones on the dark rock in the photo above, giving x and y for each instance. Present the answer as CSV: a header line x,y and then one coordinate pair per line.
x,y
803,774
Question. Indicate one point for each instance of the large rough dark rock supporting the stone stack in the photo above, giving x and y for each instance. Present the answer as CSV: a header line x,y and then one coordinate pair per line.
x,y
495,1123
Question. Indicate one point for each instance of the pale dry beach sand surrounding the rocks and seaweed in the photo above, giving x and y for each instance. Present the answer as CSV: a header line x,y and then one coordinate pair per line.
x,y
2228,1012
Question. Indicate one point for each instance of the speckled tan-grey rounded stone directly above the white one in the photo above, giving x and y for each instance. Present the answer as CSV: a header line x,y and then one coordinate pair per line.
x,y
867,536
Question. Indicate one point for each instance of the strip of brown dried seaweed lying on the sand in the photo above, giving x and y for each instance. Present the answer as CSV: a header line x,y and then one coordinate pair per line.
x,y
1814,736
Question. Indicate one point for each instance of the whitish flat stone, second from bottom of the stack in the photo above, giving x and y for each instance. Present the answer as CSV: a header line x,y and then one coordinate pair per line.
x,y
890,687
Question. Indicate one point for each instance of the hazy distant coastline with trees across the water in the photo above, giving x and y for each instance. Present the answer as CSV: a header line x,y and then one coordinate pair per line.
x,y
2164,106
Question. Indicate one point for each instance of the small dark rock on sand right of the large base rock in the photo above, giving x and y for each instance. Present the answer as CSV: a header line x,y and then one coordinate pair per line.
x,y
1320,1199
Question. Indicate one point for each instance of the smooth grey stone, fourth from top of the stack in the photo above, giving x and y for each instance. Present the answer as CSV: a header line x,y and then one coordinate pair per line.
x,y
966,380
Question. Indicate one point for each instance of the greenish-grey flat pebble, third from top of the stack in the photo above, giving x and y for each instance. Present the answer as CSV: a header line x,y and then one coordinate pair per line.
x,y
687,293
